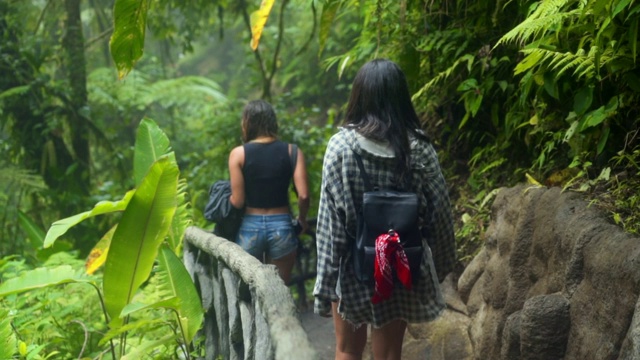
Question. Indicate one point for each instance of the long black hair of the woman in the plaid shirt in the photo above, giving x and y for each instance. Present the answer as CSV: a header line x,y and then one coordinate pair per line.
x,y
380,108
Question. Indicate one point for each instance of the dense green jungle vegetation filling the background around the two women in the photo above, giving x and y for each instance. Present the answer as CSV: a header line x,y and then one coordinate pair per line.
x,y
540,91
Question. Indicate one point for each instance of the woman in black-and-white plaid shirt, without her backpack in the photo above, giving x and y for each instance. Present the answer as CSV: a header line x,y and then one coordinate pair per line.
x,y
382,126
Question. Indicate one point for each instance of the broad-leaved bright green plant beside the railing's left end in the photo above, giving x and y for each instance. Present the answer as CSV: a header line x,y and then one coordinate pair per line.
x,y
154,218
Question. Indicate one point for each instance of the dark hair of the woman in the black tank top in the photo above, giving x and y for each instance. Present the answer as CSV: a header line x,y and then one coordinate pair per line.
x,y
259,119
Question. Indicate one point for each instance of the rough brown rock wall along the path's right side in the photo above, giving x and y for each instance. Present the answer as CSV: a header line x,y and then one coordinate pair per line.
x,y
554,280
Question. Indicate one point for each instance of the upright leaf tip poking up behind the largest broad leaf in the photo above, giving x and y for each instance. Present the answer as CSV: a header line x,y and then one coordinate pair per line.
x,y
151,144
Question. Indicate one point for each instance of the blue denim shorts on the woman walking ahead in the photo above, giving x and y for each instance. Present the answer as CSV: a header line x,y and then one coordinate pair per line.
x,y
272,235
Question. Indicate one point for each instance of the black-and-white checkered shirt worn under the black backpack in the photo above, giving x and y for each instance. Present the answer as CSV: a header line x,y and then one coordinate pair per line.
x,y
341,195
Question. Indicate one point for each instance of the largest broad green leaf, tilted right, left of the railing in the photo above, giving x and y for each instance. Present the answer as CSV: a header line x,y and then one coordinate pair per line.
x,y
144,225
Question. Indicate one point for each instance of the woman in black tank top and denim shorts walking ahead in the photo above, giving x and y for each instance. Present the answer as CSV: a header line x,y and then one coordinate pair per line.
x,y
260,173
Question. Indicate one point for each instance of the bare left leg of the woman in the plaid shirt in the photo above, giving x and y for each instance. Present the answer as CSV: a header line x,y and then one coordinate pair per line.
x,y
350,342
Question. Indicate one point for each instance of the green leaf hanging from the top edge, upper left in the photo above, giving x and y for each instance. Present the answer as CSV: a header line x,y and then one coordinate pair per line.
x,y
127,40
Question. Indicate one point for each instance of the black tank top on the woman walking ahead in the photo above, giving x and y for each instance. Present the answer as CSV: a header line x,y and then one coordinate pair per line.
x,y
267,173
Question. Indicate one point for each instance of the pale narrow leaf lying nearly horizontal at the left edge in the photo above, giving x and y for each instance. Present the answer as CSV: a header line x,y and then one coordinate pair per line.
x,y
40,278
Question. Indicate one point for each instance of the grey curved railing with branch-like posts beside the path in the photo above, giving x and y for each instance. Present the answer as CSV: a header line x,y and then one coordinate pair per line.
x,y
249,312
